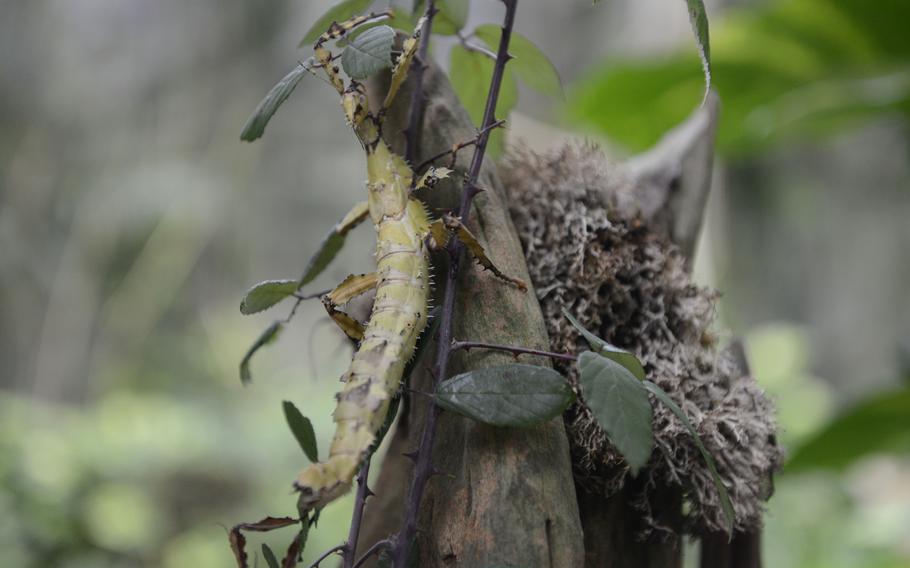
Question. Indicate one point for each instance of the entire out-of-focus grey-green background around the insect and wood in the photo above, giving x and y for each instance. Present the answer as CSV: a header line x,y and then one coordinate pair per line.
x,y
132,219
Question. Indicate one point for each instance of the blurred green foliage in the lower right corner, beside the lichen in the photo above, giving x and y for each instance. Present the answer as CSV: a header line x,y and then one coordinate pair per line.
x,y
859,517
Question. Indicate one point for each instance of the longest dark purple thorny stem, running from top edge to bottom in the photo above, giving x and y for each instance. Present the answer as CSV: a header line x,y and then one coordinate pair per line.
x,y
423,468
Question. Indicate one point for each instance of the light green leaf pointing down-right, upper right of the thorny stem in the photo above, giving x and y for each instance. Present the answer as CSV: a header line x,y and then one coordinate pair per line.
x,y
530,65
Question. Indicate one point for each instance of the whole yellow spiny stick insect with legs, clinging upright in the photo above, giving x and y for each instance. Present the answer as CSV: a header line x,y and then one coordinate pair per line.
x,y
401,280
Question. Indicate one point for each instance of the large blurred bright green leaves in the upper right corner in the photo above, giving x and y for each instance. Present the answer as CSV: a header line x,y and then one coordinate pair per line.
x,y
790,68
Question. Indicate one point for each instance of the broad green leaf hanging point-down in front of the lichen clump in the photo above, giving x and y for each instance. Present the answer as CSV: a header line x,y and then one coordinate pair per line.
x,y
620,404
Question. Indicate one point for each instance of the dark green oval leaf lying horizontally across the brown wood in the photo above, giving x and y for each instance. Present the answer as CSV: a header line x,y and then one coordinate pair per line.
x,y
508,395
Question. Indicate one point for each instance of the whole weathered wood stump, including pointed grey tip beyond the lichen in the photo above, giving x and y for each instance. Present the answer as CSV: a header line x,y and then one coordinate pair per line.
x,y
507,497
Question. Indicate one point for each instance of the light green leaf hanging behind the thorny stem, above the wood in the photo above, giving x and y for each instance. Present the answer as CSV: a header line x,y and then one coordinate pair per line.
x,y
470,73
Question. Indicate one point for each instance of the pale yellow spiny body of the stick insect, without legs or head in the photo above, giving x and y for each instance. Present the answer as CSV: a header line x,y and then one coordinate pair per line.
x,y
398,316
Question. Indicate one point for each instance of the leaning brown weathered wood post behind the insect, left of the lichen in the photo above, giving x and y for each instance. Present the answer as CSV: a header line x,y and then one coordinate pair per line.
x,y
507,496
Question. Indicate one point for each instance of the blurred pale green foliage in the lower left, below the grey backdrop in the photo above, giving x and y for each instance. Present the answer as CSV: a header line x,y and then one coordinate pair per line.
x,y
147,479
